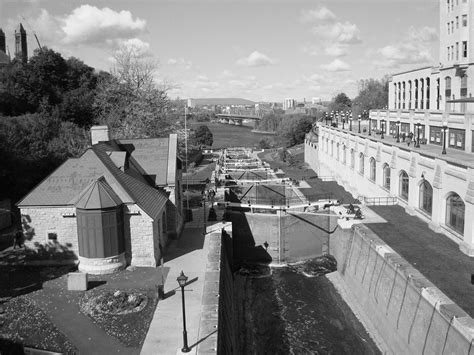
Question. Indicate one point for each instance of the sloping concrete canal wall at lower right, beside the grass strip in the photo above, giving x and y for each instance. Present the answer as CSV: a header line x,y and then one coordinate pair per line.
x,y
404,312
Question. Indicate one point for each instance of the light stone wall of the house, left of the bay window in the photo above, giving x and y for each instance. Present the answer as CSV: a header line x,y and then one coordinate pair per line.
x,y
38,223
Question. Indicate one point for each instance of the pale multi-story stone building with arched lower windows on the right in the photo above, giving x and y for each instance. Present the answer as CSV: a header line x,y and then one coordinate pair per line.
x,y
419,152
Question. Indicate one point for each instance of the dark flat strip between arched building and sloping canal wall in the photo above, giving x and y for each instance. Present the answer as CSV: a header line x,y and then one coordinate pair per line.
x,y
436,256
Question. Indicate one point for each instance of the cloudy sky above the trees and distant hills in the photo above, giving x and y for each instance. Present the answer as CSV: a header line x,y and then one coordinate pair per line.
x,y
261,50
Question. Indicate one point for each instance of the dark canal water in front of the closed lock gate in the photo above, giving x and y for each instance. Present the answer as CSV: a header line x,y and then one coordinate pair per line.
x,y
296,310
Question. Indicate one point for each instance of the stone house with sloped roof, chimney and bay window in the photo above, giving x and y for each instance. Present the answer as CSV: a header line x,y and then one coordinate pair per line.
x,y
117,204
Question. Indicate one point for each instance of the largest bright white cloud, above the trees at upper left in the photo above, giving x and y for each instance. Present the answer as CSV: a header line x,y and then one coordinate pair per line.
x,y
91,25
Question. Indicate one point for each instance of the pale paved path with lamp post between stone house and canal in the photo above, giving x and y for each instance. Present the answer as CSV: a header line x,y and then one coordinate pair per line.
x,y
187,254
